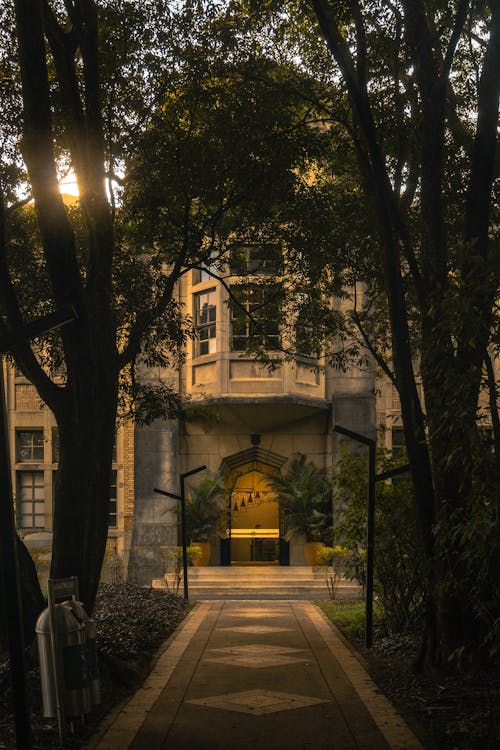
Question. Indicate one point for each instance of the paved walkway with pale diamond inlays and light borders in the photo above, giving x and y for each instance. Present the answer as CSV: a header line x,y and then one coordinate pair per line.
x,y
273,675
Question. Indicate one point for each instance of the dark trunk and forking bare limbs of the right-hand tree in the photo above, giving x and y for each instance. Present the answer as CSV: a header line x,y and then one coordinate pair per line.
x,y
451,373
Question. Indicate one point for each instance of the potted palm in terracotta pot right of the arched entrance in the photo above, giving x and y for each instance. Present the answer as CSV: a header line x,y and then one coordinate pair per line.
x,y
305,496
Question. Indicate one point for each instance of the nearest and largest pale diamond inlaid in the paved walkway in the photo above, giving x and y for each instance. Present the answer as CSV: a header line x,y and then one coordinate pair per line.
x,y
258,702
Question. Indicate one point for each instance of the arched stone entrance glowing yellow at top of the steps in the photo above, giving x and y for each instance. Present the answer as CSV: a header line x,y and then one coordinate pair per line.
x,y
254,521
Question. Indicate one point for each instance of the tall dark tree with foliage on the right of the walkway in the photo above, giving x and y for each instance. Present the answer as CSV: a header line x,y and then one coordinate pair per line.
x,y
421,82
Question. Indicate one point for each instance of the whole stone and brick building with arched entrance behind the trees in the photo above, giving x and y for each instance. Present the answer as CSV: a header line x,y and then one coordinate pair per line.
x,y
261,417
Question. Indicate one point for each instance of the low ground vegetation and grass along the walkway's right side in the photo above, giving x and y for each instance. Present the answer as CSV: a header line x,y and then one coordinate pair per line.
x,y
455,712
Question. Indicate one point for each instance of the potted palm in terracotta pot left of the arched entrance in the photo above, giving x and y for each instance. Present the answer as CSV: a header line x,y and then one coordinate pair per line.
x,y
204,506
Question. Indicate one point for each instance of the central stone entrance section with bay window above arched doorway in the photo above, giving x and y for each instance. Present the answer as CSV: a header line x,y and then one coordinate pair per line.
x,y
263,416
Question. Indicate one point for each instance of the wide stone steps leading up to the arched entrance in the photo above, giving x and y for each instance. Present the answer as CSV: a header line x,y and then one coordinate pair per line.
x,y
261,582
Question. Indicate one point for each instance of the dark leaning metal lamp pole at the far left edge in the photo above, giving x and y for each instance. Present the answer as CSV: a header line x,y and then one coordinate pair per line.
x,y
11,587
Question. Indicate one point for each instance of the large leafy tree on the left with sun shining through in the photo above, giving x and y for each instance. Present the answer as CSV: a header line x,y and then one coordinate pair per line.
x,y
116,257
